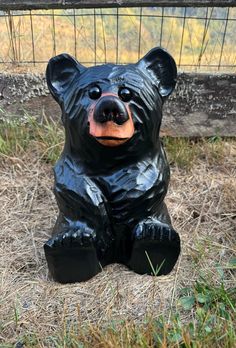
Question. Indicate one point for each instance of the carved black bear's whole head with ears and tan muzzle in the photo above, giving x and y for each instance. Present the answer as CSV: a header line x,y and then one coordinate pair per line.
x,y
109,111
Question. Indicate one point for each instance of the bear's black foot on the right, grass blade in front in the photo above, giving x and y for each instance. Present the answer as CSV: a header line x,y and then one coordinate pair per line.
x,y
156,248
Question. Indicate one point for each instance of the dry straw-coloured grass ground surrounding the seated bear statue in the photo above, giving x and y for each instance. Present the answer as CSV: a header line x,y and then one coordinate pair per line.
x,y
201,201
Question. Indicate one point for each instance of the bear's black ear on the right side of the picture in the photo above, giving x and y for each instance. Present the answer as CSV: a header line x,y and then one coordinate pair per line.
x,y
162,67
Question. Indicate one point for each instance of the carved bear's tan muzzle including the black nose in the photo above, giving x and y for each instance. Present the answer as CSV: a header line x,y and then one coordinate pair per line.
x,y
110,121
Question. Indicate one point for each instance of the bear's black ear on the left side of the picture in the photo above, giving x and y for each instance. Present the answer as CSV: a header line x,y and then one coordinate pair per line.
x,y
61,71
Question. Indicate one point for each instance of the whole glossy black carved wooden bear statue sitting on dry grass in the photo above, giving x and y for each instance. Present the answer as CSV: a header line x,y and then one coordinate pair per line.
x,y
113,175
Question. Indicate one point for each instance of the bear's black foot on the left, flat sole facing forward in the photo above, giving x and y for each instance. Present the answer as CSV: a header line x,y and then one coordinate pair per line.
x,y
72,256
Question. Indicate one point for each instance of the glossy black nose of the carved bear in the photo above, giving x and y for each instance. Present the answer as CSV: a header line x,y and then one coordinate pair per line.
x,y
110,108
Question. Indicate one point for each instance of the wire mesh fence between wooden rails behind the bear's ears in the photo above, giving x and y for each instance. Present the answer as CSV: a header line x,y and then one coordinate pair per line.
x,y
200,39
